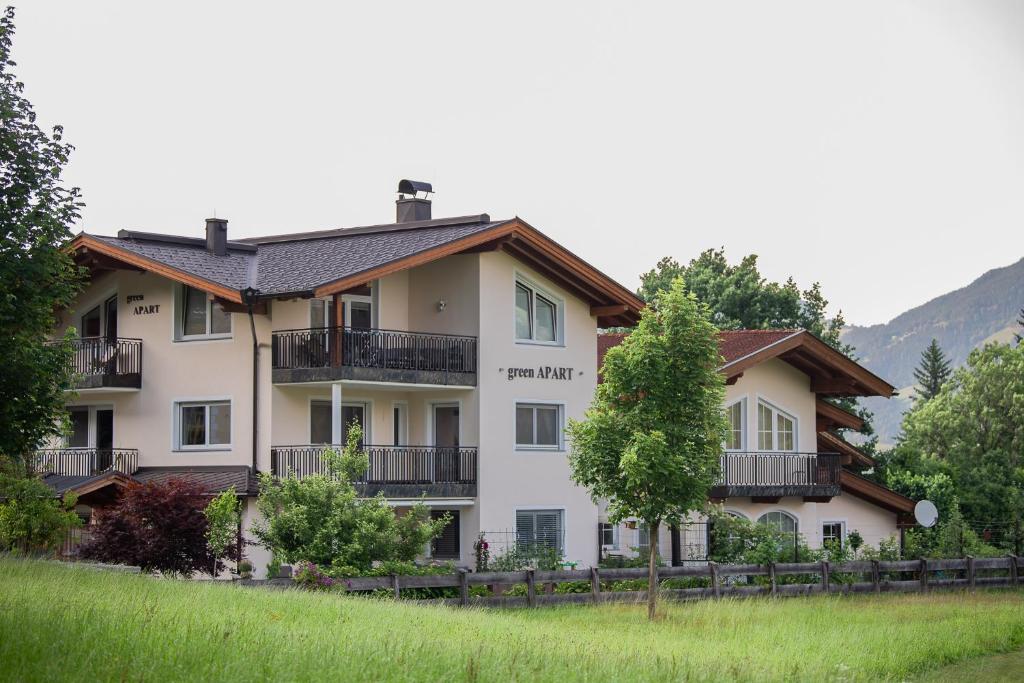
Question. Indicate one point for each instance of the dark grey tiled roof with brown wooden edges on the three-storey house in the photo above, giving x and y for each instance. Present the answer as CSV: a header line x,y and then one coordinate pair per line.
x,y
326,263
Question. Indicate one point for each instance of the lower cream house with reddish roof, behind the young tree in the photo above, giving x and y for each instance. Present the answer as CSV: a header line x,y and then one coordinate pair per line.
x,y
784,463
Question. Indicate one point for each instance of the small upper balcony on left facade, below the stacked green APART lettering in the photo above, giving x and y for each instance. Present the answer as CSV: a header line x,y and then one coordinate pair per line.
x,y
102,363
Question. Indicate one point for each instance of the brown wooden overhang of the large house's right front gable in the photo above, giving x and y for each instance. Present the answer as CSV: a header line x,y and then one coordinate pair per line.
x,y
612,304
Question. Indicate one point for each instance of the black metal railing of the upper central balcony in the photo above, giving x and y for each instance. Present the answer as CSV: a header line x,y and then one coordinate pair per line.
x,y
386,350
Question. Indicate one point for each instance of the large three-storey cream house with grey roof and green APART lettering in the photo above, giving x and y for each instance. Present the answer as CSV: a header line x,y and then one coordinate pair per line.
x,y
462,346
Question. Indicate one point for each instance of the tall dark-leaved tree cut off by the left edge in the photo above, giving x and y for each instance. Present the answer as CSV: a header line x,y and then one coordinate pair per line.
x,y
39,278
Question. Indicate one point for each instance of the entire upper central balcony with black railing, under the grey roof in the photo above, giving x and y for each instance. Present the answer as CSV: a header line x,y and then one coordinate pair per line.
x,y
373,356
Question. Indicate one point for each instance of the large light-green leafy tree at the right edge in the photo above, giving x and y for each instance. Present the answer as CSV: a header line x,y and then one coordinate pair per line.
x,y
974,432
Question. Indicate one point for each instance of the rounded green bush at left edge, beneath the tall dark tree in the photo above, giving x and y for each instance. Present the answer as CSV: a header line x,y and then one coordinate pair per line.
x,y
31,519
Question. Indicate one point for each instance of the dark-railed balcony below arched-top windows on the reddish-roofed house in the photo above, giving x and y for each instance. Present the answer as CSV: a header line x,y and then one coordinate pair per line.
x,y
775,476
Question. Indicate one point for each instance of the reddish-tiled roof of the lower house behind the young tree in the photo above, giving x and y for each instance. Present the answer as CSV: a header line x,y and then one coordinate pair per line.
x,y
832,373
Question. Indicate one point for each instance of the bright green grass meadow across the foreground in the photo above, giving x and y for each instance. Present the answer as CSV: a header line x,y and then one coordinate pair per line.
x,y
63,623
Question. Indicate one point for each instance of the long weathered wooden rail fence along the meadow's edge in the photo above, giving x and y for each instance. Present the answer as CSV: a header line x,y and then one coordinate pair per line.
x,y
722,581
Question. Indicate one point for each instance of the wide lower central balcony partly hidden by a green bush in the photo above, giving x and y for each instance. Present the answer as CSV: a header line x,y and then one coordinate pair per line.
x,y
398,472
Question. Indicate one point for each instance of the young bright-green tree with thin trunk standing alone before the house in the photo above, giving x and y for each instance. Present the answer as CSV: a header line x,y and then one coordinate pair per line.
x,y
651,442
